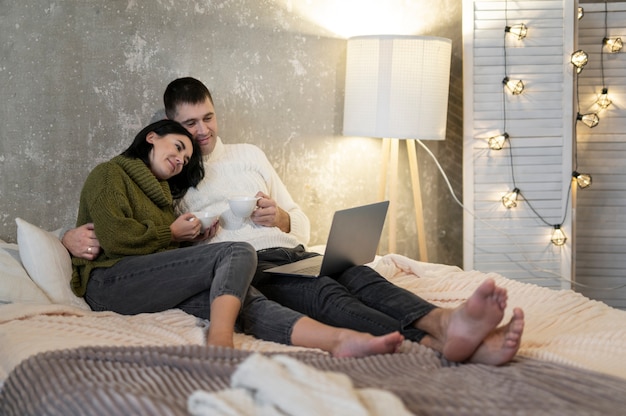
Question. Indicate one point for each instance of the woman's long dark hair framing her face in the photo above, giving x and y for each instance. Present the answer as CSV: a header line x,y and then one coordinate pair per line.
x,y
193,171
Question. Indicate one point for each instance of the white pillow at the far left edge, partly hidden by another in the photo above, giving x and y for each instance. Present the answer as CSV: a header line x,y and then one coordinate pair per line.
x,y
15,284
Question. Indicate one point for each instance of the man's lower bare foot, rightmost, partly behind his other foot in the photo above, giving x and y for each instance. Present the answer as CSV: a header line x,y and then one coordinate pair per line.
x,y
502,344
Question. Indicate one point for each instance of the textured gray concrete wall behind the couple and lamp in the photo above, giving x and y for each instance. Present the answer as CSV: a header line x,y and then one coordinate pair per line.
x,y
81,77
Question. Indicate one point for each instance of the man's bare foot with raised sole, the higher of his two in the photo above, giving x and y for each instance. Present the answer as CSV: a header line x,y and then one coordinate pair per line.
x,y
471,322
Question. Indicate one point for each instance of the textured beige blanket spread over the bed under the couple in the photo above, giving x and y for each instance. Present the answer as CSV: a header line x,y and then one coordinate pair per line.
x,y
561,326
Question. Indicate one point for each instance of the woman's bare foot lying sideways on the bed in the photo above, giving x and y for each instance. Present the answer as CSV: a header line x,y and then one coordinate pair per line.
x,y
359,344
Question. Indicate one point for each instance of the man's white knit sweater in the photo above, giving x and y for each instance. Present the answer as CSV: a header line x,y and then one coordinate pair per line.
x,y
243,169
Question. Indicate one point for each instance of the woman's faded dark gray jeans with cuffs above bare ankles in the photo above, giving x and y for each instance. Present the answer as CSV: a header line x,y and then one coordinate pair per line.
x,y
189,279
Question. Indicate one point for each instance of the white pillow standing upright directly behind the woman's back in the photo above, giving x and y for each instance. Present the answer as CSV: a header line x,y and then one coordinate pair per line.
x,y
48,263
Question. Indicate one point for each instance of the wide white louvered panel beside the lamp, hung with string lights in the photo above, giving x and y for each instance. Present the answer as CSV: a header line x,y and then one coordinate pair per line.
x,y
537,158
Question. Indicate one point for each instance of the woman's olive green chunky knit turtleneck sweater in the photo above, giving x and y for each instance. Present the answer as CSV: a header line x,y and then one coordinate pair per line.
x,y
131,210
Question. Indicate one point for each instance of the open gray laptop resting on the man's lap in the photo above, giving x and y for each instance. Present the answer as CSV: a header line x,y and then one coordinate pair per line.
x,y
353,240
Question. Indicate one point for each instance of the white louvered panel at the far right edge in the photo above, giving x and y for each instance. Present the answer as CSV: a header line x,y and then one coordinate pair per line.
x,y
601,208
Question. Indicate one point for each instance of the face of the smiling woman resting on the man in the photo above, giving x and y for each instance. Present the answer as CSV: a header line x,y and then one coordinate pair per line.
x,y
169,154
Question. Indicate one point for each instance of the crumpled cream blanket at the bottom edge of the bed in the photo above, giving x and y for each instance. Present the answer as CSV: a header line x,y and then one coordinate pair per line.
x,y
281,385
